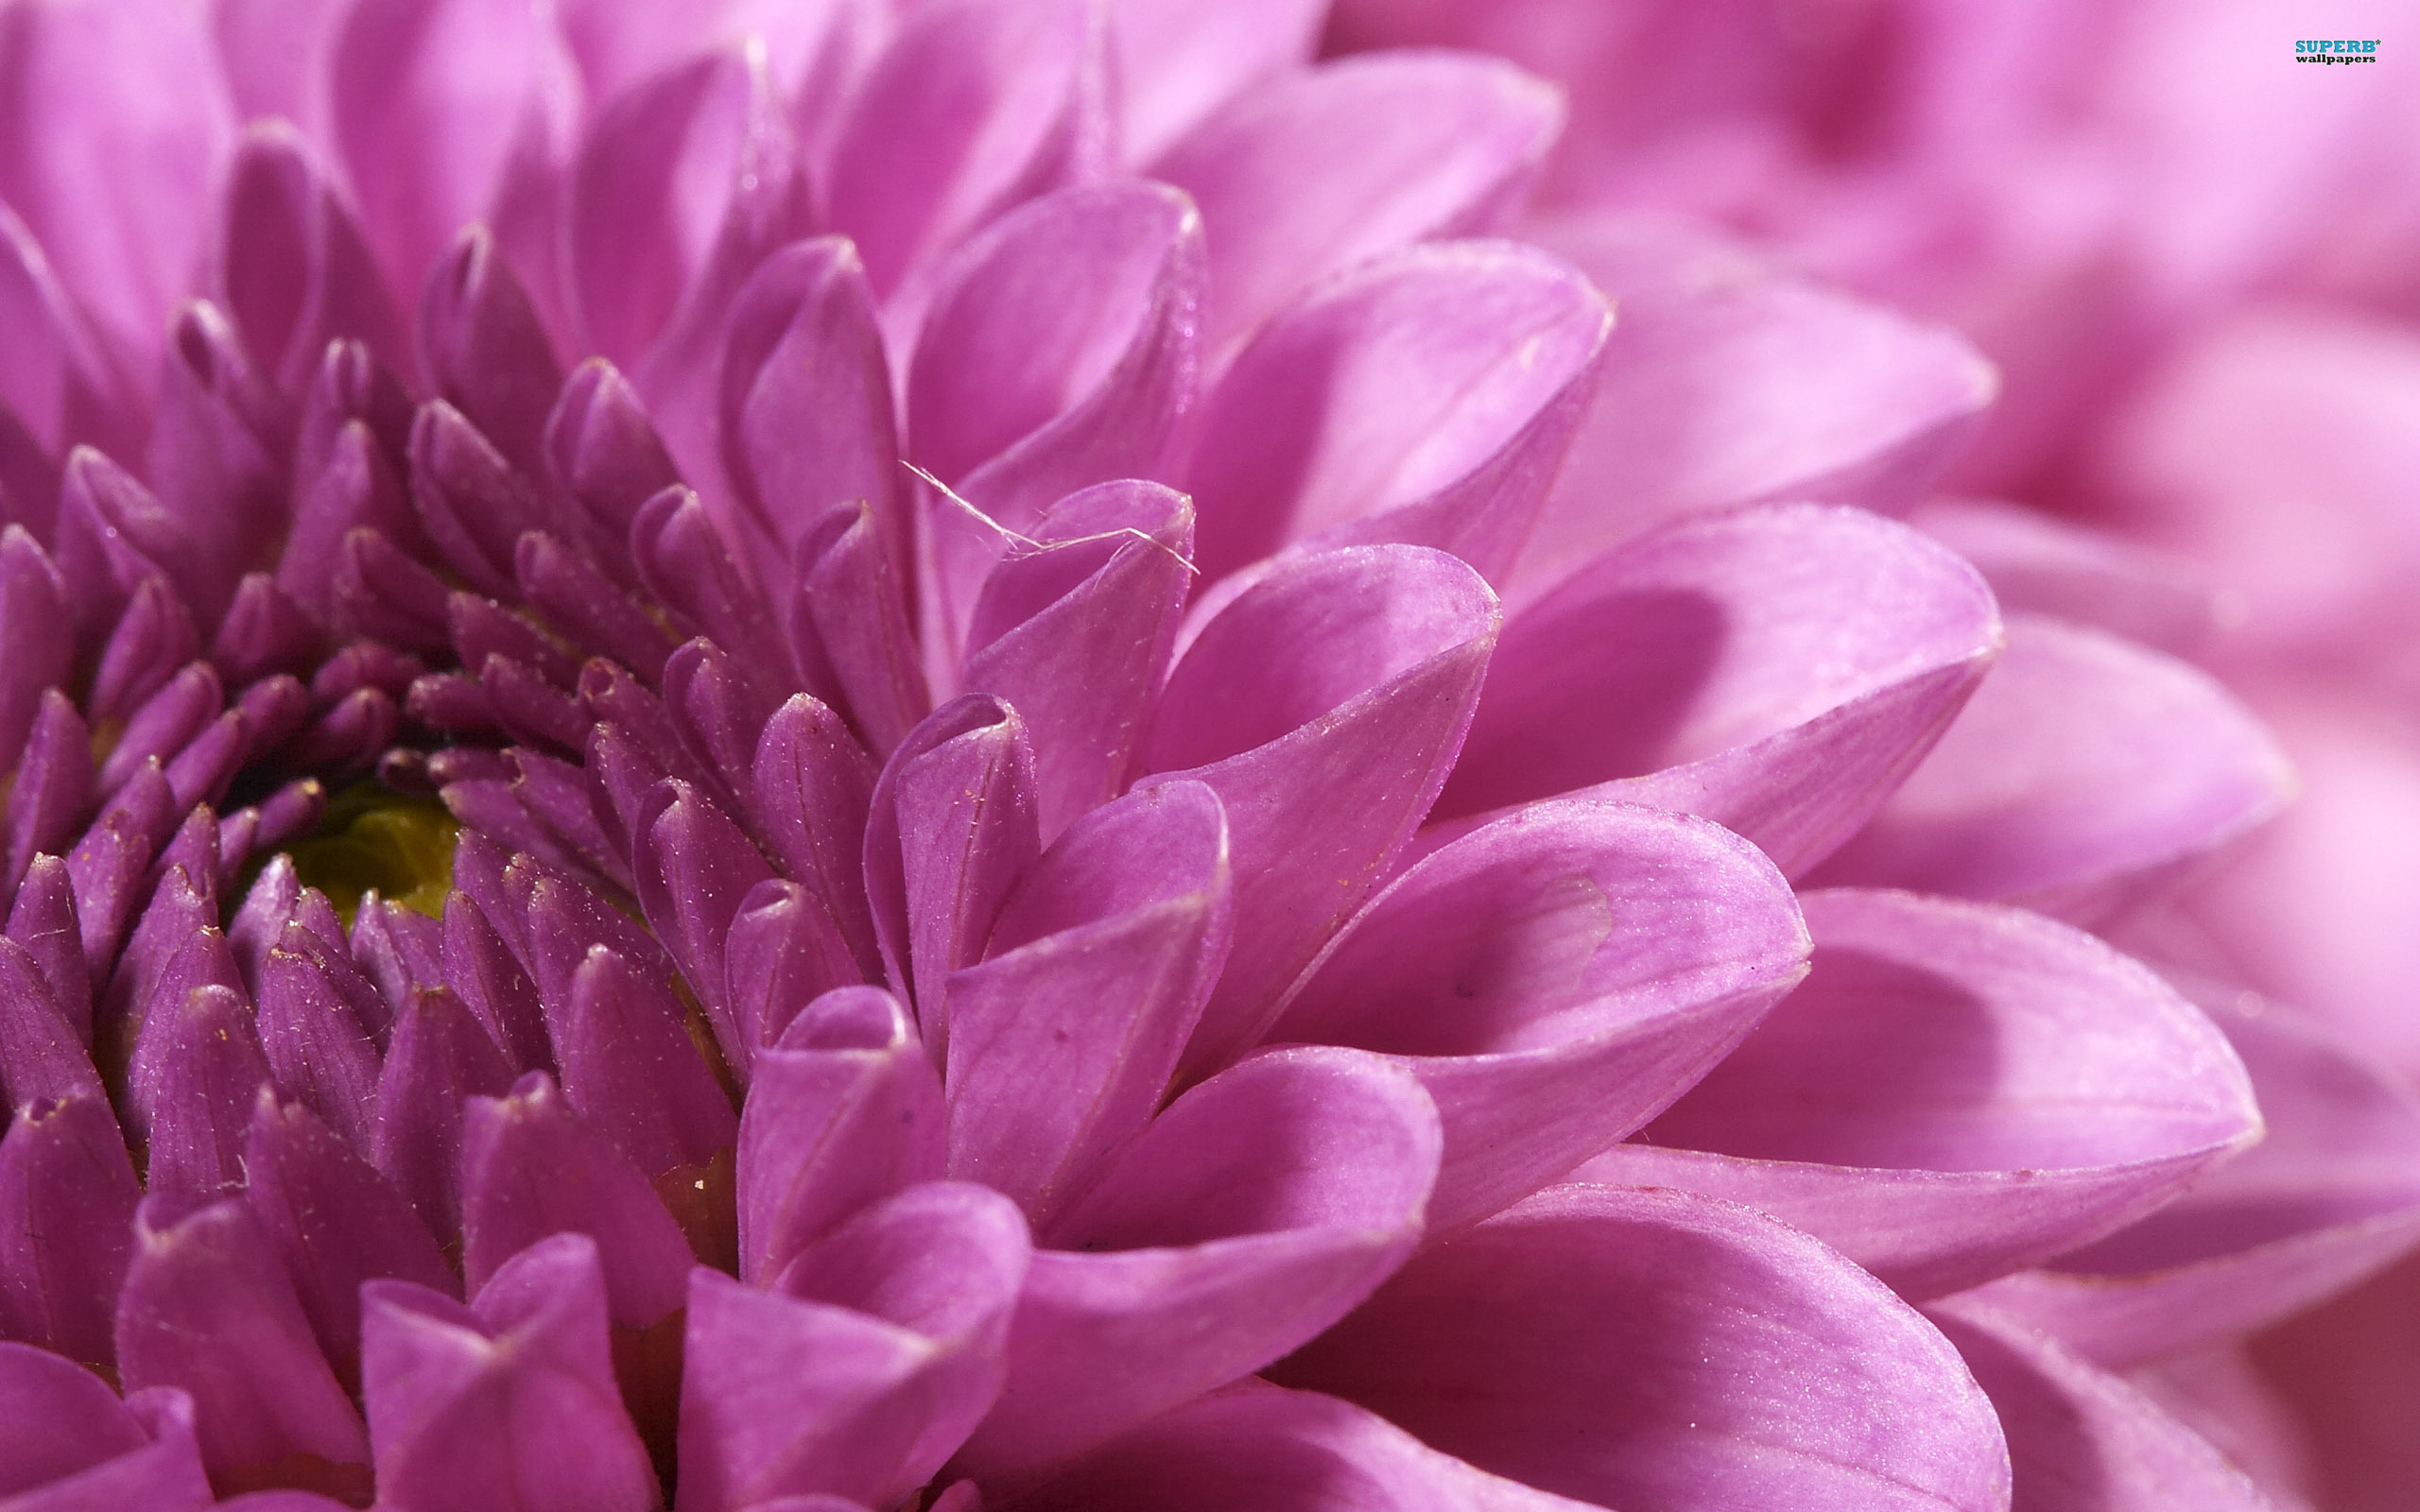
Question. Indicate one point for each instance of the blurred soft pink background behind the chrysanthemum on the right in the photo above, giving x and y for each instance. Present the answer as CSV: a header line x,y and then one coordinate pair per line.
x,y
2196,267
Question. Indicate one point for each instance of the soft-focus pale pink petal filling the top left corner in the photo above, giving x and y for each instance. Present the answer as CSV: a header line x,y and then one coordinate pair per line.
x,y
110,166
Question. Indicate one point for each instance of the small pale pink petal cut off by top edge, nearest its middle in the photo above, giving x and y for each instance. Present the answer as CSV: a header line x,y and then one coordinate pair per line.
x,y
1180,62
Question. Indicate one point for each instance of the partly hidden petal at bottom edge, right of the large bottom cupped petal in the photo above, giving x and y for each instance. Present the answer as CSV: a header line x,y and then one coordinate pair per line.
x,y
2082,1441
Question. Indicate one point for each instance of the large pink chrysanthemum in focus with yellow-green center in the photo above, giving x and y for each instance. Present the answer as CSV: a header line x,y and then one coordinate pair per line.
x,y
1008,853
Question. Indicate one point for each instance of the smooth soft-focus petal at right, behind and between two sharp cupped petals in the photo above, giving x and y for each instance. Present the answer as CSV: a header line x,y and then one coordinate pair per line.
x,y
2082,775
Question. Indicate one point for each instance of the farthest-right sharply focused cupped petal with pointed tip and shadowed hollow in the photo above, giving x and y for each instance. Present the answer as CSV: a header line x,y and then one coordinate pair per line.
x,y
1957,1092
